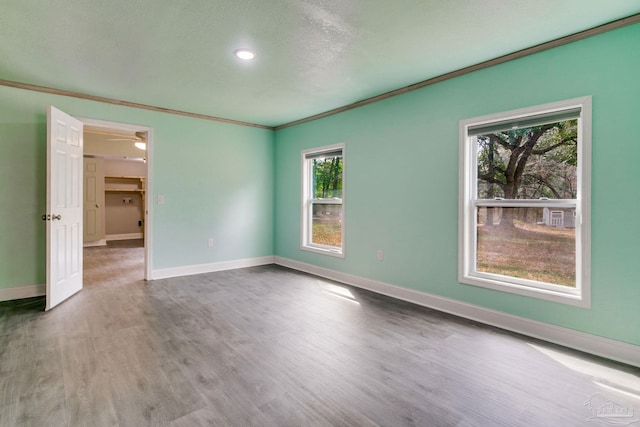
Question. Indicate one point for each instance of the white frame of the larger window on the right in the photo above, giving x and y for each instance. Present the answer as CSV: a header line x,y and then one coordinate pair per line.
x,y
469,203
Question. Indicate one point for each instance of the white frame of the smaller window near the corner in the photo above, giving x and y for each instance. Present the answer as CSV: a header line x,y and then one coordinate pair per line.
x,y
308,202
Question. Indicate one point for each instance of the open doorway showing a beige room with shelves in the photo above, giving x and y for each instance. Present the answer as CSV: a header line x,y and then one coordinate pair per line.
x,y
118,213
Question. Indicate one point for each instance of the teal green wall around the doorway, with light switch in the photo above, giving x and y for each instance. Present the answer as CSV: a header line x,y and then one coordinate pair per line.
x,y
217,180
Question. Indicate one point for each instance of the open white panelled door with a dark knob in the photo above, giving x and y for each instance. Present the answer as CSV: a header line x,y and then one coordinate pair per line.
x,y
64,206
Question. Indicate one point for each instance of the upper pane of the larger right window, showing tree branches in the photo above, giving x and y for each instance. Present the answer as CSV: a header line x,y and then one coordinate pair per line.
x,y
529,163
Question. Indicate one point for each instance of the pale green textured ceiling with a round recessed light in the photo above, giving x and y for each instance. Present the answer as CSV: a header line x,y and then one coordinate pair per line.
x,y
312,55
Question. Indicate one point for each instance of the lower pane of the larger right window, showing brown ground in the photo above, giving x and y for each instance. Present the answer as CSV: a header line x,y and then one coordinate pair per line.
x,y
528,243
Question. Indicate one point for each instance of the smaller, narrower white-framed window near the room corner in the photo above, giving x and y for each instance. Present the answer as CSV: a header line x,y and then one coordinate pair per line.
x,y
323,200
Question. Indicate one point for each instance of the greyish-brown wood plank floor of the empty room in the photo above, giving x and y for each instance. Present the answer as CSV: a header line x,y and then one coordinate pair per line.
x,y
268,346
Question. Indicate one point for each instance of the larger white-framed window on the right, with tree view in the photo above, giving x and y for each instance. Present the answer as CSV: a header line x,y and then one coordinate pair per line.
x,y
525,199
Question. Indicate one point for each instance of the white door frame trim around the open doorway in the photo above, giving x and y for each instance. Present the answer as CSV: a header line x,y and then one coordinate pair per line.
x,y
115,126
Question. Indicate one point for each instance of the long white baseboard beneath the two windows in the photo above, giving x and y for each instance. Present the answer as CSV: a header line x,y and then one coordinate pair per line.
x,y
594,344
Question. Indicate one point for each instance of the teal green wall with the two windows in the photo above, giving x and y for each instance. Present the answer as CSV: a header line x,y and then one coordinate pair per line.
x,y
402,180
